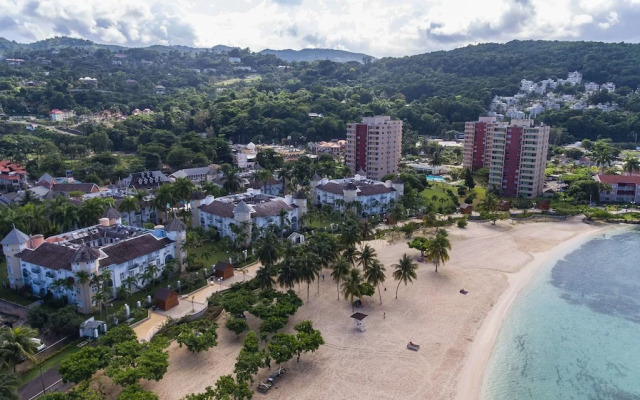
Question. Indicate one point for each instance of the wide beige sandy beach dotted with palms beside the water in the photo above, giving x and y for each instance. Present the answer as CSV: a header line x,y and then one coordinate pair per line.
x,y
454,331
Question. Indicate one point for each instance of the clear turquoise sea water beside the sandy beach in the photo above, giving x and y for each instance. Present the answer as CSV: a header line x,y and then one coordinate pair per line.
x,y
574,331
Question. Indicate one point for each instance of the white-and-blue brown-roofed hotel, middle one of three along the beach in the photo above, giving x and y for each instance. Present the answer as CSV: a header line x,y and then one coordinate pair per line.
x,y
248,212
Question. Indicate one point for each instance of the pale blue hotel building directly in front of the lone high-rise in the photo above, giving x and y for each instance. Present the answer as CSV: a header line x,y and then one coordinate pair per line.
x,y
374,197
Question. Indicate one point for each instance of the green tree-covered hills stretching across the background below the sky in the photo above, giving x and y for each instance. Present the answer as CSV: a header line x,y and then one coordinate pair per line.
x,y
242,96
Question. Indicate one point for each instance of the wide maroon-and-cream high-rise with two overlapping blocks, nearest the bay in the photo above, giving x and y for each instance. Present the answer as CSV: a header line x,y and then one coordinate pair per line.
x,y
515,154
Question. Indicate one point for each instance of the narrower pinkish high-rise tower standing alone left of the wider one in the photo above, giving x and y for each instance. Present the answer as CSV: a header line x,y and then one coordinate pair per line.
x,y
374,146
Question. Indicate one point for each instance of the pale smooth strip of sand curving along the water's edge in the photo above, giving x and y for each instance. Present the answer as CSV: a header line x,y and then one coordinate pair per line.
x,y
471,377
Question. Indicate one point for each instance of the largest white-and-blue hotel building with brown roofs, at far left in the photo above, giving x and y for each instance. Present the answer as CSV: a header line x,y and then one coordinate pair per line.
x,y
72,257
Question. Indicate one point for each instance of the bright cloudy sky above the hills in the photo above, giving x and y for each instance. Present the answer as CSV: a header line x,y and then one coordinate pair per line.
x,y
375,27
